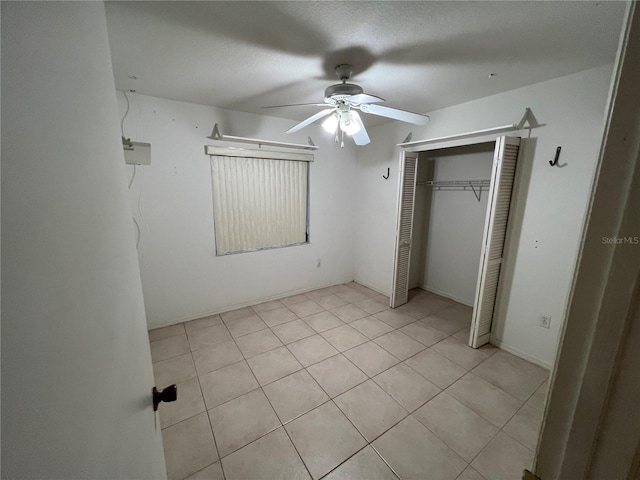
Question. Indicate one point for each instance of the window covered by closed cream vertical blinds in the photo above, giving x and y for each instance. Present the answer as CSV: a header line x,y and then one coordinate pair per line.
x,y
260,199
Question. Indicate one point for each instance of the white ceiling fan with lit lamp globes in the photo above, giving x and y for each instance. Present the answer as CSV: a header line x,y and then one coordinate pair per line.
x,y
343,100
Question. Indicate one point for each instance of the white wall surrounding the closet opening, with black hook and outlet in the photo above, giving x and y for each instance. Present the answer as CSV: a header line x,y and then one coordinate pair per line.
x,y
549,204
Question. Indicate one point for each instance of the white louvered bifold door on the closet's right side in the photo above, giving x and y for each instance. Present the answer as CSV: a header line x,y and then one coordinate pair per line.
x,y
495,229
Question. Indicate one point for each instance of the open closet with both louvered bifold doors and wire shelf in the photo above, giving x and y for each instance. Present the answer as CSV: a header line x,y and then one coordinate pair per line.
x,y
453,211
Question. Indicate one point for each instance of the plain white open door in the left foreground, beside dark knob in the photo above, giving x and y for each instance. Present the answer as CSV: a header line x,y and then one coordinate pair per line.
x,y
76,365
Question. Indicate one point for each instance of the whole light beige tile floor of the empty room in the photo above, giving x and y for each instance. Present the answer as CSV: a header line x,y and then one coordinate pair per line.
x,y
334,384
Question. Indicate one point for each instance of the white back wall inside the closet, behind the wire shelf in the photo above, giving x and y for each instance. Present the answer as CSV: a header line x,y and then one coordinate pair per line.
x,y
455,228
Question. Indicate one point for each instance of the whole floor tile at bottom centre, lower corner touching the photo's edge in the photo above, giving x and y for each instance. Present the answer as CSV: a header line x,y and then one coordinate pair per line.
x,y
324,438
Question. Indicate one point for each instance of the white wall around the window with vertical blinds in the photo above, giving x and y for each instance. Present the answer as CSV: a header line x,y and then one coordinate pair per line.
x,y
182,277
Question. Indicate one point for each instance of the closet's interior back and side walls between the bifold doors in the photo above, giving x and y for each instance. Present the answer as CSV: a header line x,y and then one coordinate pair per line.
x,y
448,224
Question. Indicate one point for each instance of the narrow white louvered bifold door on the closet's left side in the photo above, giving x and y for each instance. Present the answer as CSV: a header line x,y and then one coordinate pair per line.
x,y
407,186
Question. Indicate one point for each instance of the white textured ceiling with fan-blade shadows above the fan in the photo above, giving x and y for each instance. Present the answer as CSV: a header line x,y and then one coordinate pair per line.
x,y
419,56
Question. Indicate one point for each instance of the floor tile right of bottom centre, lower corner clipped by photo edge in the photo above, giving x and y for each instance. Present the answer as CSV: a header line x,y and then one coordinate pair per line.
x,y
416,453
